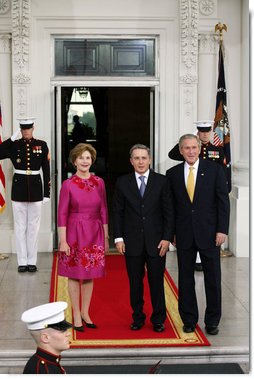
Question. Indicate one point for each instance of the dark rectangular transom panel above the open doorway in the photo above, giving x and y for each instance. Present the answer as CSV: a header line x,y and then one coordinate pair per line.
x,y
116,57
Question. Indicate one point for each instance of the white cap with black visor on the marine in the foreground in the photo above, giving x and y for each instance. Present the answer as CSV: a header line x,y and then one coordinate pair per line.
x,y
50,315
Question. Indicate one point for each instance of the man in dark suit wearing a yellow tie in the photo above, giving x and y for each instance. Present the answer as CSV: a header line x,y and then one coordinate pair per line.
x,y
201,207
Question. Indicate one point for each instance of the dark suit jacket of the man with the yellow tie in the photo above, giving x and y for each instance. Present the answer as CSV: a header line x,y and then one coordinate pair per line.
x,y
209,212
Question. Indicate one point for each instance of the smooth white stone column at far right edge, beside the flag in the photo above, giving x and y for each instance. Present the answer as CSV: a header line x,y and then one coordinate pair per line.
x,y
240,205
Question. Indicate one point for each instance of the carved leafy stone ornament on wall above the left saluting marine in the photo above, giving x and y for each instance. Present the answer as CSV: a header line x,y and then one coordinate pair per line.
x,y
21,31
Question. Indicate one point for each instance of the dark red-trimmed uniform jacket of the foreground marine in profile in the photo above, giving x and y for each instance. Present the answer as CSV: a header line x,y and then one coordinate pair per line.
x,y
43,362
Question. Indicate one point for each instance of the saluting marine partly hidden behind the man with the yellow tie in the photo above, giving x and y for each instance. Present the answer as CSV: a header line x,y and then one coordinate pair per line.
x,y
208,152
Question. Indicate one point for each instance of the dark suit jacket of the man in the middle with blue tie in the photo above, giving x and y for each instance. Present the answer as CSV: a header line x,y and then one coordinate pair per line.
x,y
142,220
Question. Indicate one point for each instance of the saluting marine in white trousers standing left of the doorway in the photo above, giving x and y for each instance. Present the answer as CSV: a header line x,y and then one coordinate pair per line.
x,y
28,156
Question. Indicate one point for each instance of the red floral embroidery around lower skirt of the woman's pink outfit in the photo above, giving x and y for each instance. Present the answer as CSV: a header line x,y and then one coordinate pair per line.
x,y
88,257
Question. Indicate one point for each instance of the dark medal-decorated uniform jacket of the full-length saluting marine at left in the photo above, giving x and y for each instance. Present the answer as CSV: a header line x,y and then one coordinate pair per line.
x,y
28,155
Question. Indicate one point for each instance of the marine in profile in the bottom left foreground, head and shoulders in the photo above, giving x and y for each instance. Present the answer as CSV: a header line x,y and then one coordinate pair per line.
x,y
50,331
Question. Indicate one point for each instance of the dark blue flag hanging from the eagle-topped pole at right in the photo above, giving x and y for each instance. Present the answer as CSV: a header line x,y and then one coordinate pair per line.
x,y
221,125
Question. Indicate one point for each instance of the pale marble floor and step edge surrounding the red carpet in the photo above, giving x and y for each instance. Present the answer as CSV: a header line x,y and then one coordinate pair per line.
x,y
19,292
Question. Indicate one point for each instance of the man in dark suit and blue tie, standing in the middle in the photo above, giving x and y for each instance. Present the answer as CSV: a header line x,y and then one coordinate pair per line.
x,y
142,230
